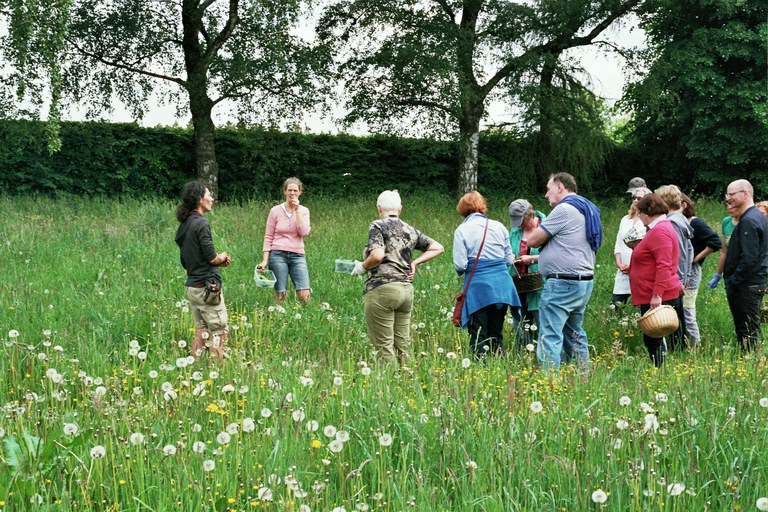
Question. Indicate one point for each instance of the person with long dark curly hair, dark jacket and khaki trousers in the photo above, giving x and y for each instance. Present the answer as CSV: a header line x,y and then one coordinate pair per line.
x,y
200,260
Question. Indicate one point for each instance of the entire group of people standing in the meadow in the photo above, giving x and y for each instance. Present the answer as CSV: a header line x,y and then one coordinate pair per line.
x,y
562,247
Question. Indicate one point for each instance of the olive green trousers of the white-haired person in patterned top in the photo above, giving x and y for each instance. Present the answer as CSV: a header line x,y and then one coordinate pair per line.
x,y
388,315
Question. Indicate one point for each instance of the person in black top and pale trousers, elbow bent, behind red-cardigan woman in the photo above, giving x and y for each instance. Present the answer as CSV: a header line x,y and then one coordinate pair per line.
x,y
705,241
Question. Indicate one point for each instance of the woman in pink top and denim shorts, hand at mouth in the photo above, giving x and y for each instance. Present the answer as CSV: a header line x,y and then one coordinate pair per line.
x,y
283,249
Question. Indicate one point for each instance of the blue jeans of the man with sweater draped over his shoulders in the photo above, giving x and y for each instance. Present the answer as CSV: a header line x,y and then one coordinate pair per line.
x,y
561,314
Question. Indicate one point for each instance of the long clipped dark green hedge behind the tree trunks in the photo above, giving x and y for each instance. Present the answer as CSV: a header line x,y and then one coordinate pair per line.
x,y
125,159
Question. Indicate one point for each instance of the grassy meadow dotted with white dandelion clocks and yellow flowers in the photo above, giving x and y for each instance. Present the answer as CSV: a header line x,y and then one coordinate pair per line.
x,y
101,410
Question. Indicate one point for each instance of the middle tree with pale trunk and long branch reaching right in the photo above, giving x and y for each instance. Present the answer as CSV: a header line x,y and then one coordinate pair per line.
x,y
436,63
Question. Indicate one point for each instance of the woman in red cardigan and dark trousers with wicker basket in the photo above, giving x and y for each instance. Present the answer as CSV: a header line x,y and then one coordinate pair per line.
x,y
653,269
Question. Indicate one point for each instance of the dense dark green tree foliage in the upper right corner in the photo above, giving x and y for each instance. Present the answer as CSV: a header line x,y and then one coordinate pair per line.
x,y
702,107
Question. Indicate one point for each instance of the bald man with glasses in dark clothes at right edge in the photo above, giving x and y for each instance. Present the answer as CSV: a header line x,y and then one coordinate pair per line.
x,y
746,263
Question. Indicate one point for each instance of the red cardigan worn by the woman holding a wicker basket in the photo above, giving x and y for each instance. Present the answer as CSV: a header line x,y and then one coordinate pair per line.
x,y
653,267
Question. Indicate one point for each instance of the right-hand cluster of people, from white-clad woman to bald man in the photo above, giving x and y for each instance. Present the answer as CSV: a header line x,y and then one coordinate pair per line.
x,y
660,248
